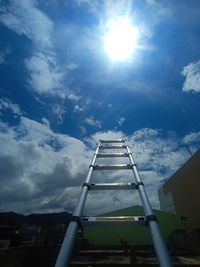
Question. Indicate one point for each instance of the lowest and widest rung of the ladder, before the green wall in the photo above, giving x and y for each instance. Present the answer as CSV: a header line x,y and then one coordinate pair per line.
x,y
114,220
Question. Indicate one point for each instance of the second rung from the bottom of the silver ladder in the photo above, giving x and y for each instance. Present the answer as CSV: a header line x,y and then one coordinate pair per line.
x,y
113,186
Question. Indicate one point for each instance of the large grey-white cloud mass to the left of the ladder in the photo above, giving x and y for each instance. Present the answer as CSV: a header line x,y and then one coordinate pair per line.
x,y
39,164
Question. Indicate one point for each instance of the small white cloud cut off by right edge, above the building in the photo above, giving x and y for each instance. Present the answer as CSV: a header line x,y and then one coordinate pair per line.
x,y
192,75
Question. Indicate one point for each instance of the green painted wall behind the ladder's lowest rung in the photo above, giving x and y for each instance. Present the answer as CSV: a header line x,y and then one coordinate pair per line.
x,y
133,235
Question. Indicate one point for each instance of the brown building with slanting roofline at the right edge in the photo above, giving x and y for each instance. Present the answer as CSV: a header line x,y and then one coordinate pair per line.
x,y
181,193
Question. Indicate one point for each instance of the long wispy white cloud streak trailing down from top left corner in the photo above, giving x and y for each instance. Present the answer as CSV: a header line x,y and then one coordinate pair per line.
x,y
45,75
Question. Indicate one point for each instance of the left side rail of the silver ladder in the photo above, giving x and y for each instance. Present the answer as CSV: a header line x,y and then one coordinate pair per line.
x,y
64,256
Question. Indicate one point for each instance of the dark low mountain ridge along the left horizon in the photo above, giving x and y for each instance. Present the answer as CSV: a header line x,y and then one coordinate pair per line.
x,y
47,219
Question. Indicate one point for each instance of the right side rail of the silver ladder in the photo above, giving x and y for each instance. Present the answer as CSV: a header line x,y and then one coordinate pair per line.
x,y
158,241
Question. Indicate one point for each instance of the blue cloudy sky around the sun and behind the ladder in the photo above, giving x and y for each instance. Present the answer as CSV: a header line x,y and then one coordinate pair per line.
x,y
60,92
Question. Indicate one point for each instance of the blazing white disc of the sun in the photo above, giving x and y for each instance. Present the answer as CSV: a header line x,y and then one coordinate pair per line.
x,y
120,40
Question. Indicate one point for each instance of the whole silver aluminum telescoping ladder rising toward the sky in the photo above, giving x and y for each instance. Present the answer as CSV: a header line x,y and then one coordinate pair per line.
x,y
77,220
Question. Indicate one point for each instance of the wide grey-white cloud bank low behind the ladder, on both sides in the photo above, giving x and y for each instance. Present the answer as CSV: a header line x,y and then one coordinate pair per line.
x,y
48,168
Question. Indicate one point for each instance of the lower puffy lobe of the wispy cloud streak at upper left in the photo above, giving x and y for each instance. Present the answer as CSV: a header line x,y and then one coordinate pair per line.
x,y
45,76
